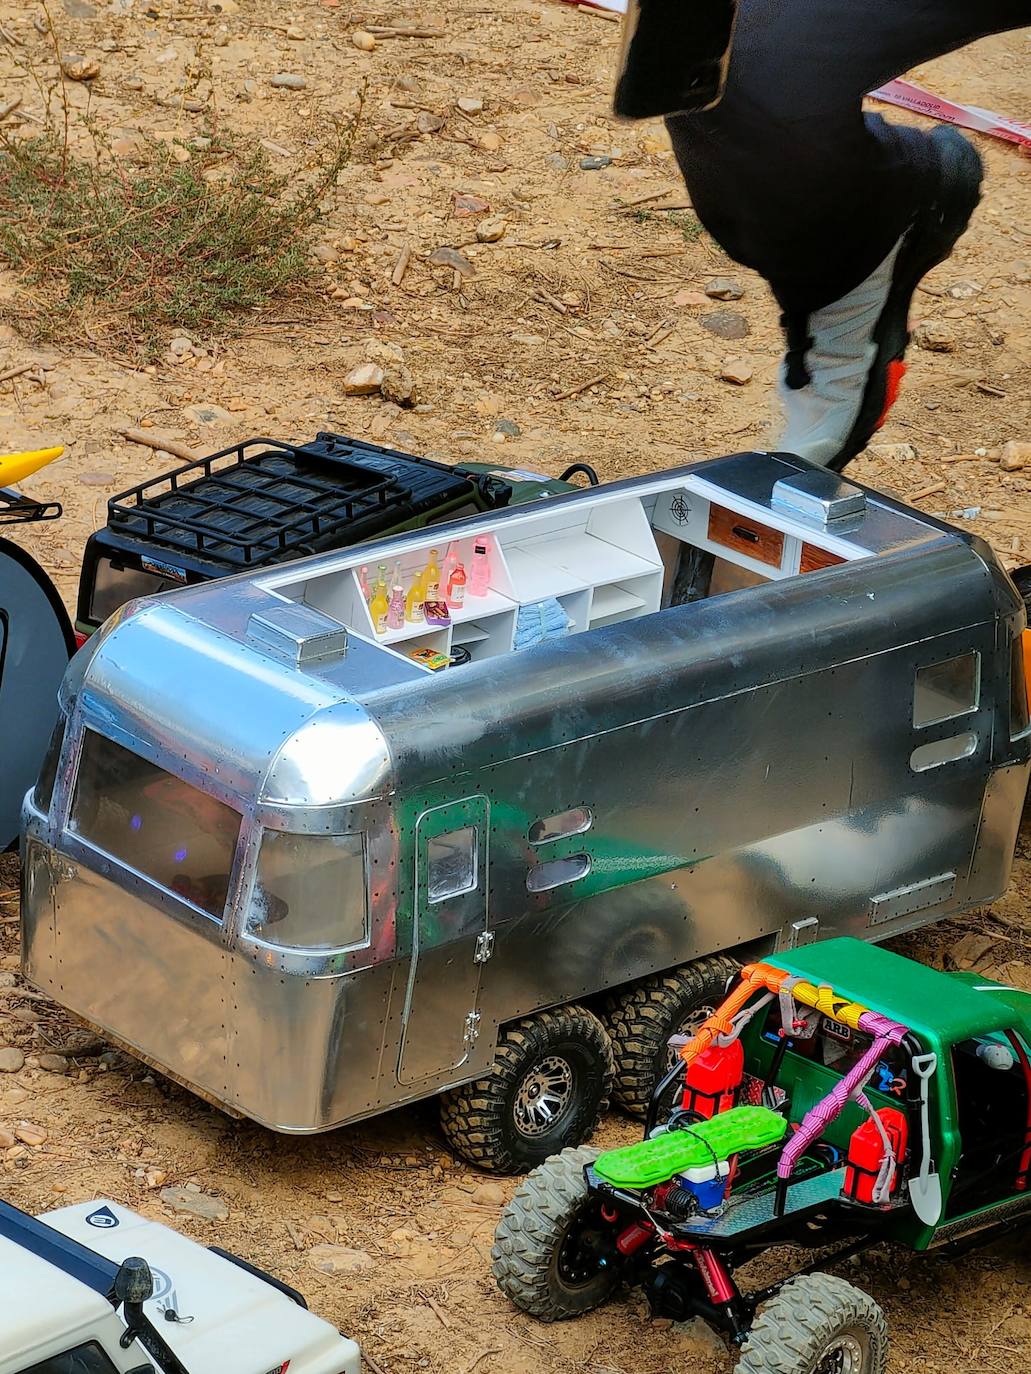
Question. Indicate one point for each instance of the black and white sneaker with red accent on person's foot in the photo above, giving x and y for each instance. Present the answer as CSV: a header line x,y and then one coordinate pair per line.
x,y
845,363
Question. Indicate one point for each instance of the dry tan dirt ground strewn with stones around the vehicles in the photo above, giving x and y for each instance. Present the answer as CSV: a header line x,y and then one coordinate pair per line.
x,y
585,325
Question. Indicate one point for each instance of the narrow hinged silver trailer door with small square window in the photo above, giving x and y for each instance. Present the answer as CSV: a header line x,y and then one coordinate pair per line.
x,y
450,941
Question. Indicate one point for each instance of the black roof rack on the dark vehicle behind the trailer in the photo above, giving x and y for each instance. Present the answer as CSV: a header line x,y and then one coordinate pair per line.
x,y
262,501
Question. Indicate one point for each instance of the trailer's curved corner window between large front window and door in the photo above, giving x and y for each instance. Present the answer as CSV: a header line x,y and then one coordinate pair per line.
x,y
311,892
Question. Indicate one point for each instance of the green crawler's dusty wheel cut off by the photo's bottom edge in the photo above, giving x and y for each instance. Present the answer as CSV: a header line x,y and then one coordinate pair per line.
x,y
817,1325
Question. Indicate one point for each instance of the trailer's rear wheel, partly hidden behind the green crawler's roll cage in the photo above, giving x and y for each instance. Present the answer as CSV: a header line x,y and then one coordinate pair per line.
x,y
643,1017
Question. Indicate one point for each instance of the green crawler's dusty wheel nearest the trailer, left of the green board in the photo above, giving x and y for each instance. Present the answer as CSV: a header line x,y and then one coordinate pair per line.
x,y
553,1255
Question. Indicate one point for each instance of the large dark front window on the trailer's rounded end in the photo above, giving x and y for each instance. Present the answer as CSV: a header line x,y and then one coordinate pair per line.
x,y
170,832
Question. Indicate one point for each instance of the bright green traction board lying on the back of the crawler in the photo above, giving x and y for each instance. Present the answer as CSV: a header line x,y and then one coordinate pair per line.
x,y
655,1162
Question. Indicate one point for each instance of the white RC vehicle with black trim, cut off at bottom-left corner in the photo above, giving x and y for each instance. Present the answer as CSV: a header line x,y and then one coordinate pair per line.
x,y
97,1289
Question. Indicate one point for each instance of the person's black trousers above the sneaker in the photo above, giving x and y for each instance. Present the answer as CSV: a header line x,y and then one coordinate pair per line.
x,y
787,172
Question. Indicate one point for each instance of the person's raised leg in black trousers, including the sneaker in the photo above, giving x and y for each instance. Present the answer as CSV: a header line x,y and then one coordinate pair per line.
x,y
841,212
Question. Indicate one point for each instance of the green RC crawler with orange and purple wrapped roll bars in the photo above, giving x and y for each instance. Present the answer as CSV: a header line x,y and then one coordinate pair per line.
x,y
841,1099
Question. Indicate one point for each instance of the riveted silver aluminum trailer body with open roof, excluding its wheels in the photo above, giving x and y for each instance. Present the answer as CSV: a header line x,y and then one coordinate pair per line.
x,y
839,751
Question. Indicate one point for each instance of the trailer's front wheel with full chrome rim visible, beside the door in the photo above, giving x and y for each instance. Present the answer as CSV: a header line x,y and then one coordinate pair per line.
x,y
548,1090
